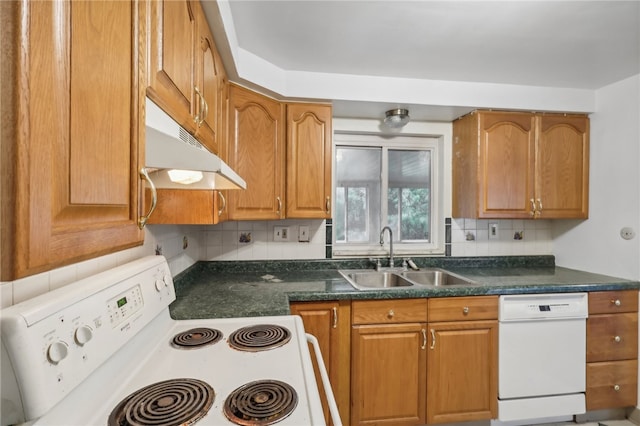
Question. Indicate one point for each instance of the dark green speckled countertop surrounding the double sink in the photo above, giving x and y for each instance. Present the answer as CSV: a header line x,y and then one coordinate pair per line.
x,y
238,289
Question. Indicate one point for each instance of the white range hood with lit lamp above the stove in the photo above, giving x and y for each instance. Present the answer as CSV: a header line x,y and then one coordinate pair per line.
x,y
175,159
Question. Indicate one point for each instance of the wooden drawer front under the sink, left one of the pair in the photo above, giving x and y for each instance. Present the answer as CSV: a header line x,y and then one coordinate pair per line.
x,y
388,311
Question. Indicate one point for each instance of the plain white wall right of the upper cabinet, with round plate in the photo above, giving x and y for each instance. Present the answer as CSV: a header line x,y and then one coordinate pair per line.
x,y
595,244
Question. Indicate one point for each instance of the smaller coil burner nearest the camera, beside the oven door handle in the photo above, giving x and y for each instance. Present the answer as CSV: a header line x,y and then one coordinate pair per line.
x,y
263,402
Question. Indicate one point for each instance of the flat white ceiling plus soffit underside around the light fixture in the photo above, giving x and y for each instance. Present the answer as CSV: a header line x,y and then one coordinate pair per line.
x,y
559,44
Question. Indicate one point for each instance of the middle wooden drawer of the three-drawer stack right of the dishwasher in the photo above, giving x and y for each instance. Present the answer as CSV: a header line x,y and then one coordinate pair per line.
x,y
612,337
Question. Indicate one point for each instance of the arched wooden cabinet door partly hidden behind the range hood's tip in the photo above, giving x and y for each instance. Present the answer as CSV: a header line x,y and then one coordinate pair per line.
x,y
256,152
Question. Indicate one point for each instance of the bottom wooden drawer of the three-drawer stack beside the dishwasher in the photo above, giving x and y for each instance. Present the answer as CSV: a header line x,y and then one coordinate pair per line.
x,y
612,384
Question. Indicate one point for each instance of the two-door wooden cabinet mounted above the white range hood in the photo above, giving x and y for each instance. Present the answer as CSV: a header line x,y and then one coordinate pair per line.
x,y
184,74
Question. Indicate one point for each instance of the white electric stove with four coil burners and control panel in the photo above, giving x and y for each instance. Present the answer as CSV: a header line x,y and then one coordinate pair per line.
x,y
104,351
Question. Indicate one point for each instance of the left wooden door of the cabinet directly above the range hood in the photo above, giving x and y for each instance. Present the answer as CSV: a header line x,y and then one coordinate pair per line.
x,y
172,32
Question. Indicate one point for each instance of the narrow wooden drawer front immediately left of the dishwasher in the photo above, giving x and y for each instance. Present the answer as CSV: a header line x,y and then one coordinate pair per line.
x,y
463,308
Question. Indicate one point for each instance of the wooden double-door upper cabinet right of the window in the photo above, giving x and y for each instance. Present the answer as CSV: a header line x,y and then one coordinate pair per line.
x,y
520,165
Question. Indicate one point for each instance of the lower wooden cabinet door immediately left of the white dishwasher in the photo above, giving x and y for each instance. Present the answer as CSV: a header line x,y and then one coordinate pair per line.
x,y
462,371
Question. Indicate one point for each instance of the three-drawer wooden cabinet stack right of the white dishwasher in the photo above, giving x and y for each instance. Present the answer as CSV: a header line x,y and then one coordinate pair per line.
x,y
612,349
